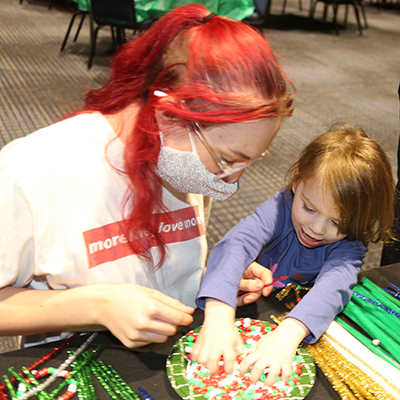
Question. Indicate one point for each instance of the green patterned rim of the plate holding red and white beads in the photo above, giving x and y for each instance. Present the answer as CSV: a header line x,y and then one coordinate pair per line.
x,y
177,362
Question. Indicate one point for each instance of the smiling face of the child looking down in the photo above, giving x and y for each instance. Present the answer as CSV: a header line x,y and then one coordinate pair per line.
x,y
314,217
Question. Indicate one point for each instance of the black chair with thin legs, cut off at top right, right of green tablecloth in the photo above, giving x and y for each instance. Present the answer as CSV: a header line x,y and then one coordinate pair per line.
x,y
357,5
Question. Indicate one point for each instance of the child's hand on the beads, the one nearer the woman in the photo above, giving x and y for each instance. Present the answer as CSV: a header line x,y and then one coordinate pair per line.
x,y
218,337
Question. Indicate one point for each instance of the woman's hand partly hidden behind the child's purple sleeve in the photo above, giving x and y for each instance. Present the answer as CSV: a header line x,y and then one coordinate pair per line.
x,y
256,281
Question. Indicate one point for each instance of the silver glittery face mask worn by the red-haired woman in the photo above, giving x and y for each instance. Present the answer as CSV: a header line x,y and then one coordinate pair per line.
x,y
185,172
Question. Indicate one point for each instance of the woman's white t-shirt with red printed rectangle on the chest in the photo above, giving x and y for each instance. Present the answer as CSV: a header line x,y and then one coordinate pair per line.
x,y
60,208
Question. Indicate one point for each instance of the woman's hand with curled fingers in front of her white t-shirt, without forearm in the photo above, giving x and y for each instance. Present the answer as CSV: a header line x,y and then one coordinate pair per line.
x,y
137,315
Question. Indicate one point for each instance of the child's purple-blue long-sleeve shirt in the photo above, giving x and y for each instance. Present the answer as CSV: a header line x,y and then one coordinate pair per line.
x,y
268,236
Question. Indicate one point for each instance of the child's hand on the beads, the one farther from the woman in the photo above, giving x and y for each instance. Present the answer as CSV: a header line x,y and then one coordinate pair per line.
x,y
275,351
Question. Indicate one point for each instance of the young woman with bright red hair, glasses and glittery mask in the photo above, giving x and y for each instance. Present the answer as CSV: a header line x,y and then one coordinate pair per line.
x,y
112,203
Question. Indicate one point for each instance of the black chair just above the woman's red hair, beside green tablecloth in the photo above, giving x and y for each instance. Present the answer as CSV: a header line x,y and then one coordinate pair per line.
x,y
119,15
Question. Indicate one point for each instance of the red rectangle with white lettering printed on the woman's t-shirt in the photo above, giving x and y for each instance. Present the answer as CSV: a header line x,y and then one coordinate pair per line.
x,y
109,242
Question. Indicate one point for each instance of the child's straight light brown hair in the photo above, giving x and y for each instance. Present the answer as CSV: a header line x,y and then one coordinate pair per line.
x,y
357,174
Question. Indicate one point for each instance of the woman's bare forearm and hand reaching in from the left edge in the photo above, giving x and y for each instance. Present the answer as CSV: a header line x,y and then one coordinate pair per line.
x,y
134,314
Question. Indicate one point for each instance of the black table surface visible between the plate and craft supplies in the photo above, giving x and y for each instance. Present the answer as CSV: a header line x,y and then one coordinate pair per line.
x,y
145,367
